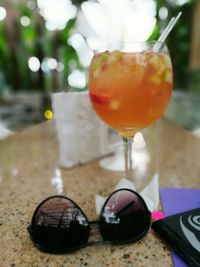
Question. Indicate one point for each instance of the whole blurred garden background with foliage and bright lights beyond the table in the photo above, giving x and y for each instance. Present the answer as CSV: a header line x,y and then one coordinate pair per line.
x,y
45,47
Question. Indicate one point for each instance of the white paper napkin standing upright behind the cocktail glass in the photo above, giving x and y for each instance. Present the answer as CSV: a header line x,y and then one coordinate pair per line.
x,y
82,136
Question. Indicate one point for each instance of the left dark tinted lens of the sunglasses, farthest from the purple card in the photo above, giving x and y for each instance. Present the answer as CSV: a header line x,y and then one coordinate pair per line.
x,y
58,225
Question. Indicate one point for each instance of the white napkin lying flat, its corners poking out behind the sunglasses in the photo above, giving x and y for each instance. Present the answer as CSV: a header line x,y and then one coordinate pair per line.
x,y
150,193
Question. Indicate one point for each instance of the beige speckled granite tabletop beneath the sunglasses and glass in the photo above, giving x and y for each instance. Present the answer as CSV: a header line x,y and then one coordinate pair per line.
x,y
27,168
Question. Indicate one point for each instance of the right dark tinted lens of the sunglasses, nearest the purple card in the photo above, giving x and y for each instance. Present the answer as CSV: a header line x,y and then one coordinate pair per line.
x,y
124,217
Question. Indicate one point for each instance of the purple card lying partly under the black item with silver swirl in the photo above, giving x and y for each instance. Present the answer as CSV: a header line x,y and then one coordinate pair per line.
x,y
176,200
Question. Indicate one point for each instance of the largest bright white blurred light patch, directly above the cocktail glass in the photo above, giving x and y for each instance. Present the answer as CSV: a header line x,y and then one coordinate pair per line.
x,y
114,21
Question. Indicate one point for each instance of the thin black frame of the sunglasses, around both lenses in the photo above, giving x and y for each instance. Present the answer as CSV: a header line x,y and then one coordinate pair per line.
x,y
90,224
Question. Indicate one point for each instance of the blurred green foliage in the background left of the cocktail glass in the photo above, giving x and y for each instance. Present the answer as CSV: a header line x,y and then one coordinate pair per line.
x,y
19,43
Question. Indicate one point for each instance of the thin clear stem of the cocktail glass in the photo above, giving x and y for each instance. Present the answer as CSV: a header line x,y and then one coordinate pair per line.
x,y
128,141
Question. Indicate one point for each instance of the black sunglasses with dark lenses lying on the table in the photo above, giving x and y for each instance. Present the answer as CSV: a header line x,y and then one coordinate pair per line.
x,y
60,226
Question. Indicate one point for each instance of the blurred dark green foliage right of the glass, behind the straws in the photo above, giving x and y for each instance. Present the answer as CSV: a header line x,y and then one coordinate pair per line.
x,y
179,43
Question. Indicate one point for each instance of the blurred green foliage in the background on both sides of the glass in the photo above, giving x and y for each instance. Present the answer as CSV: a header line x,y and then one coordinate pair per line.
x,y
18,44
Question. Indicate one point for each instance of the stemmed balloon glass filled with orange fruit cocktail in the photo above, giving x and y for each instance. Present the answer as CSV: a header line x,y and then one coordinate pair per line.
x,y
130,86
